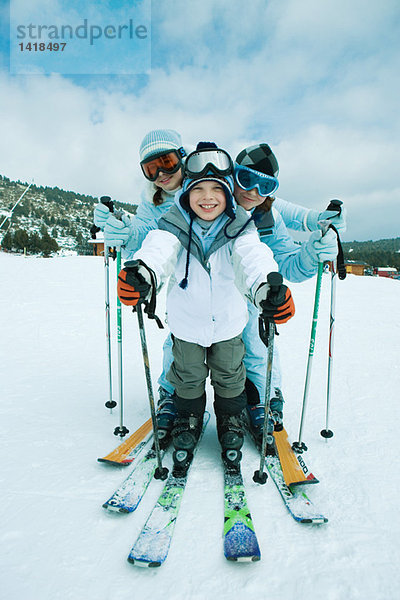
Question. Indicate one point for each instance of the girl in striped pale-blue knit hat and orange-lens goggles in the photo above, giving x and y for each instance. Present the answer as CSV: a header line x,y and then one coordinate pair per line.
x,y
161,158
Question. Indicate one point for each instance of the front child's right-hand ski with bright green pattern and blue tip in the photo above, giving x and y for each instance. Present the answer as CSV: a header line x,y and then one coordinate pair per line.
x,y
240,540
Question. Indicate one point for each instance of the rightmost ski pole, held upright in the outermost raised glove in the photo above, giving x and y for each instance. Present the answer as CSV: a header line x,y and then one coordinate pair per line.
x,y
341,270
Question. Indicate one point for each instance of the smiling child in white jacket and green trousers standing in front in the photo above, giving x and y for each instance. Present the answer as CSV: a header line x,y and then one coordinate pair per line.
x,y
210,251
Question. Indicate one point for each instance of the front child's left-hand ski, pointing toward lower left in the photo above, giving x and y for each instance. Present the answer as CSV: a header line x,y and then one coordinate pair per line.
x,y
153,543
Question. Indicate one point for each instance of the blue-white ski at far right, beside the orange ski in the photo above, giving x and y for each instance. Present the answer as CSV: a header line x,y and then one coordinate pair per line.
x,y
297,502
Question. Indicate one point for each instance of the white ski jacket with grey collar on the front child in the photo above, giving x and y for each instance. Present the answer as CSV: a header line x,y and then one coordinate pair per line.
x,y
212,307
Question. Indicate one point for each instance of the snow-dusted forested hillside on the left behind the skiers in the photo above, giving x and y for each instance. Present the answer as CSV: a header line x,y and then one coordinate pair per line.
x,y
47,219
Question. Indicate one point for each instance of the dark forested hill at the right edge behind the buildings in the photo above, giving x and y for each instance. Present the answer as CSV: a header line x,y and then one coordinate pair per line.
x,y
380,253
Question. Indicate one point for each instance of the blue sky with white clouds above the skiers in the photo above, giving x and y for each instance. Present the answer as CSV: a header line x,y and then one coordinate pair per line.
x,y
317,80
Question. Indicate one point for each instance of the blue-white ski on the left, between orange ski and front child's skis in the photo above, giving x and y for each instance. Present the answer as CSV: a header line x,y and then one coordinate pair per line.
x,y
127,497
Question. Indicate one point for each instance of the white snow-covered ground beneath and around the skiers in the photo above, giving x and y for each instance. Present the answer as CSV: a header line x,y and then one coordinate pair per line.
x,y
56,540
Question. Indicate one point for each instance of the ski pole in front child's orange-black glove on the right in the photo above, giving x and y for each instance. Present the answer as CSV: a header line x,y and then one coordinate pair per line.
x,y
275,281
